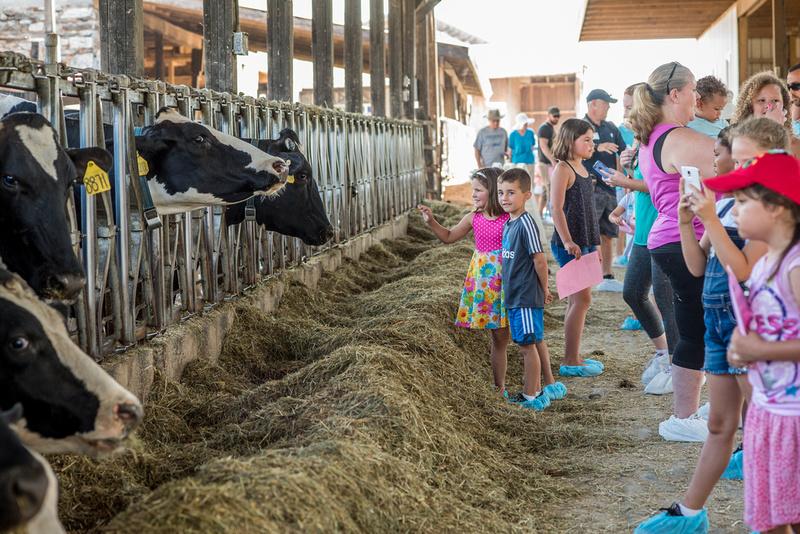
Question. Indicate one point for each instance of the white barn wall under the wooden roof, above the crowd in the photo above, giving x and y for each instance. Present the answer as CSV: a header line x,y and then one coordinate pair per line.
x,y
718,51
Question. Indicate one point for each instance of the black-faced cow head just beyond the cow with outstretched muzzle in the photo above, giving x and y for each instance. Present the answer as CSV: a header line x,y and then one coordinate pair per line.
x,y
297,210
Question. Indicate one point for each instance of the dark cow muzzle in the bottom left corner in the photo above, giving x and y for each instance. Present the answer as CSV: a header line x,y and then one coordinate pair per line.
x,y
24,478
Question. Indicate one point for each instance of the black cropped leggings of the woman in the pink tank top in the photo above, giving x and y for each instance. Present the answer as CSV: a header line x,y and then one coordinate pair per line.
x,y
688,305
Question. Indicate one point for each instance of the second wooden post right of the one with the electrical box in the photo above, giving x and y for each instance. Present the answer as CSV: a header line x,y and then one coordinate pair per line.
x,y
322,50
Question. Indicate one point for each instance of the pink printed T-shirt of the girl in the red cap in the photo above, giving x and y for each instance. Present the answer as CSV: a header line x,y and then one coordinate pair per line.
x,y
776,317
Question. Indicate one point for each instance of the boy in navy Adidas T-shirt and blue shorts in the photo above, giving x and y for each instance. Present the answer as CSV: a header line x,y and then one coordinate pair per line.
x,y
526,292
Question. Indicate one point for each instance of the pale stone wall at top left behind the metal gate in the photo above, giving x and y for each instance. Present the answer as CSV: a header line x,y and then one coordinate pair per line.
x,y
78,23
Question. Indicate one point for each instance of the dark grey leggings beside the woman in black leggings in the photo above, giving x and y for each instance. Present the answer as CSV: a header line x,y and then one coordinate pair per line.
x,y
640,275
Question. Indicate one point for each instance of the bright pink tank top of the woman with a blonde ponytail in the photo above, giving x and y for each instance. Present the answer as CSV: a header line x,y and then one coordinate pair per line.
x,y
665,191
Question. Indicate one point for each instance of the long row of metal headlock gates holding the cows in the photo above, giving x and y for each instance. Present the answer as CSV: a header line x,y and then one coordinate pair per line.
x,y
141,278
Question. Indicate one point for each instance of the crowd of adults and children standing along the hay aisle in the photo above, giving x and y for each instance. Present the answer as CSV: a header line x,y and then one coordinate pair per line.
x,y
712,208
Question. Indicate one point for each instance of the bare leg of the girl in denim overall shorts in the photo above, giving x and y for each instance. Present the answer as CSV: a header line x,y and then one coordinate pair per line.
x,y
726,403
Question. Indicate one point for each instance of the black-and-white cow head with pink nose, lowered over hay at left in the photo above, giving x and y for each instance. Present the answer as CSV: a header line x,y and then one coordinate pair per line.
x,y
70,403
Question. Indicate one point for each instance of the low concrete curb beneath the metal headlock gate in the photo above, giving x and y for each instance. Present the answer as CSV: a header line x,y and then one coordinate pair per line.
x,y
202,336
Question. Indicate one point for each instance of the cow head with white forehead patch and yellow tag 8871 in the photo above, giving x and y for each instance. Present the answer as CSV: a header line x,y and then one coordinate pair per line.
x,y
36,175
